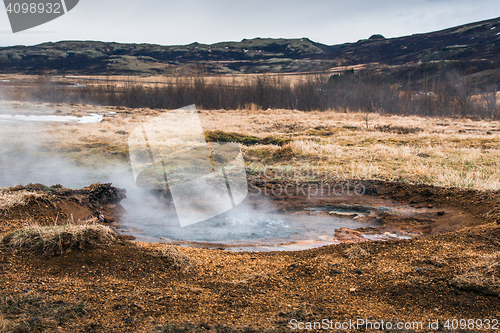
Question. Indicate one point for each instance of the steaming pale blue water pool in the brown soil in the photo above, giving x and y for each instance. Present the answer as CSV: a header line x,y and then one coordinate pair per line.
x,y
242,229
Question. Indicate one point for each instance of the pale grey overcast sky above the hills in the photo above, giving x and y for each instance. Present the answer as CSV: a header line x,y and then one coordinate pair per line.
x,y
169,22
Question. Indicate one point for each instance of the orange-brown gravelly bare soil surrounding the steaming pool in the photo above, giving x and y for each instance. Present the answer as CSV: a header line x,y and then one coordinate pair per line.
x,y
128,287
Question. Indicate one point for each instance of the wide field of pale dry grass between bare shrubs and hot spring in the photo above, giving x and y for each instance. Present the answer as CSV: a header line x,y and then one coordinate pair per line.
x,y
443,152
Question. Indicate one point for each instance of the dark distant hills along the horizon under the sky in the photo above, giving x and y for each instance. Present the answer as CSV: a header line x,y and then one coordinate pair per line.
x,y
473,48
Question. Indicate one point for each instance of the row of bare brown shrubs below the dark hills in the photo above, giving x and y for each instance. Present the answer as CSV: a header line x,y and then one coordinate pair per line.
x,y
447,94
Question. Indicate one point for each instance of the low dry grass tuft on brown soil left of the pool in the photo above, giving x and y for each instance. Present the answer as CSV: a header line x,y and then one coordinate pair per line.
x,y
56,239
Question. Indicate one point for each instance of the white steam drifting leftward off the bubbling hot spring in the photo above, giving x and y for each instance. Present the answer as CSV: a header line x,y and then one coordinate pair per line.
x,y
27,157
